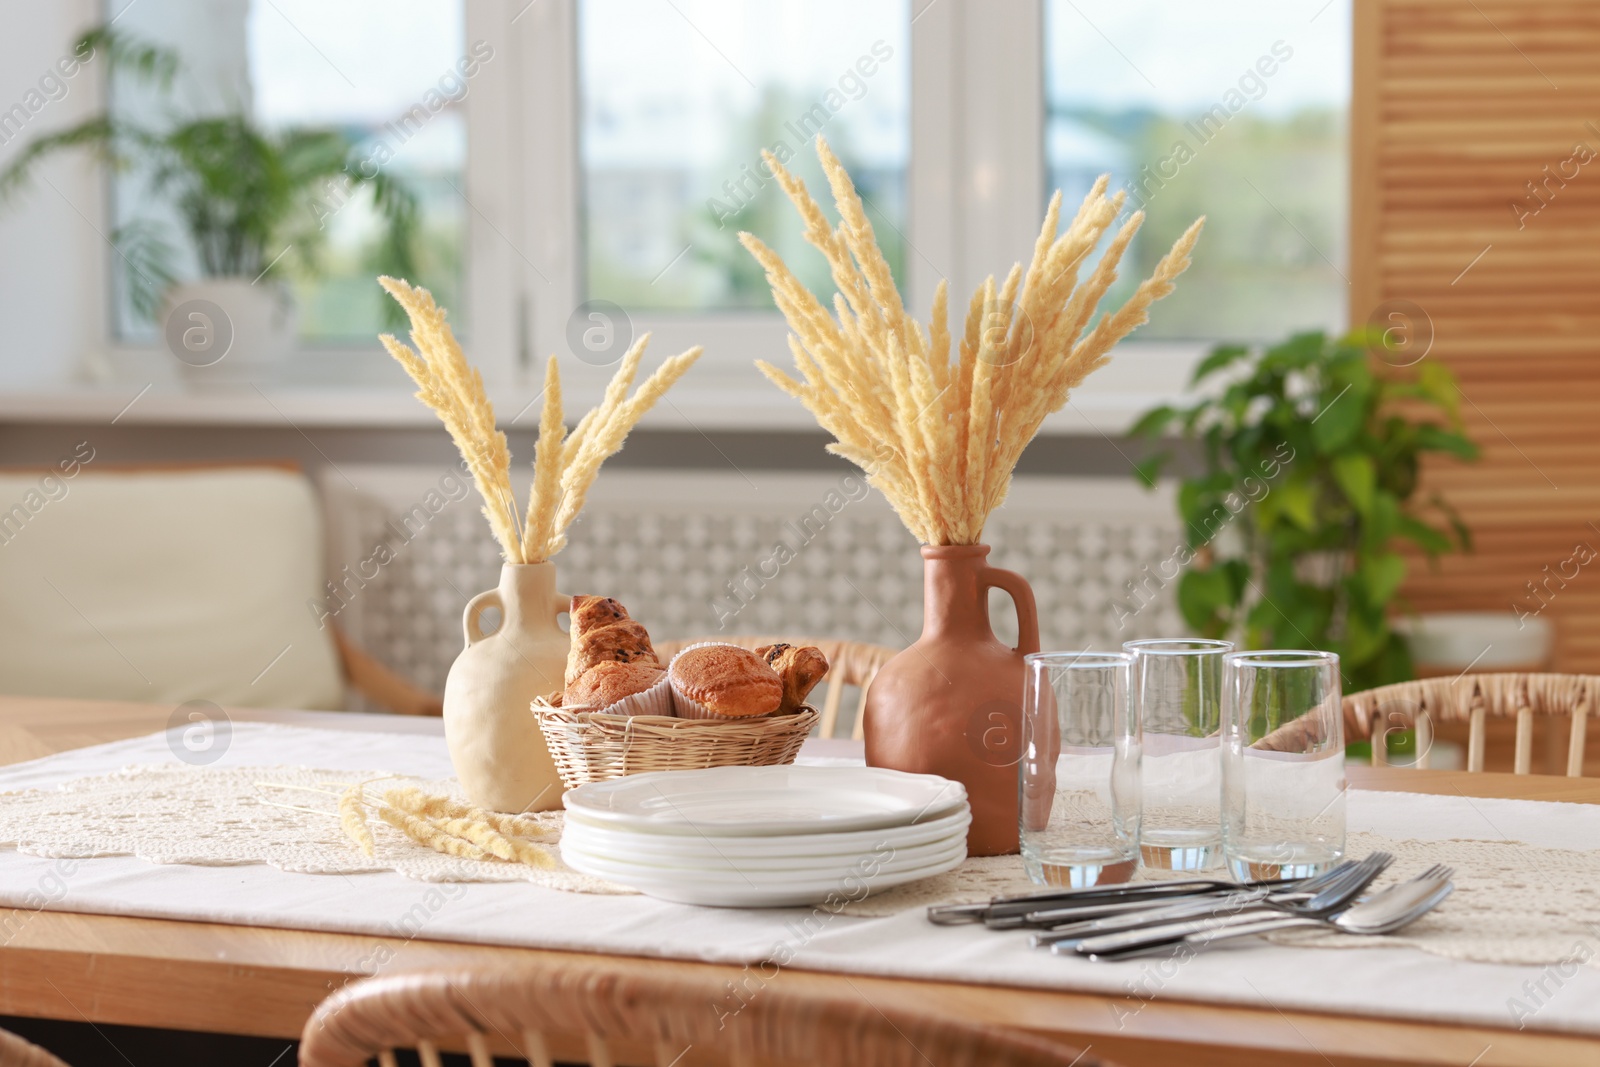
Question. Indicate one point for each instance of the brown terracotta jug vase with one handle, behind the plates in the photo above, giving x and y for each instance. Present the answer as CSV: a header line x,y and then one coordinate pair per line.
x,y
953,703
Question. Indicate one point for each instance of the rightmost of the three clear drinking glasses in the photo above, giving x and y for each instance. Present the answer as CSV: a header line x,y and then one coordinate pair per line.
x,y
1282,764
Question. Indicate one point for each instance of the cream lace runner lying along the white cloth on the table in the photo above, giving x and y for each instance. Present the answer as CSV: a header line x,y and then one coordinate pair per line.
x,y
1514,903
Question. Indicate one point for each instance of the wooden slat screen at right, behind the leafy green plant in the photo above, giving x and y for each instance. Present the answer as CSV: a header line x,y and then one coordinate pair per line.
x,y
1458,106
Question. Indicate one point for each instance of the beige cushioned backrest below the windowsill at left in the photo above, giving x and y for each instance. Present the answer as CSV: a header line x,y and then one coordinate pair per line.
x,y
164,588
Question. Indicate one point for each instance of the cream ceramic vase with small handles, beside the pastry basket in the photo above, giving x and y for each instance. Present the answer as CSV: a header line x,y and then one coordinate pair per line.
x,y
495,741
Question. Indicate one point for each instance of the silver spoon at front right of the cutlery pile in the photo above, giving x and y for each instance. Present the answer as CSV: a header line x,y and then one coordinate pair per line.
x,y
1380,914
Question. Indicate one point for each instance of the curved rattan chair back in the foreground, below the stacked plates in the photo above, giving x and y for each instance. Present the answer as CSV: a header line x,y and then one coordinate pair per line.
x,y
610,1013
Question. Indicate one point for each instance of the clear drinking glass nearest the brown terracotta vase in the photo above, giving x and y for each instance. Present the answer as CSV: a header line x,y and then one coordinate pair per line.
x,y
1079,775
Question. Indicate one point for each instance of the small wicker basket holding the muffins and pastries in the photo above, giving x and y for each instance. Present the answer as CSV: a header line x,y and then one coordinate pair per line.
x,y
596,746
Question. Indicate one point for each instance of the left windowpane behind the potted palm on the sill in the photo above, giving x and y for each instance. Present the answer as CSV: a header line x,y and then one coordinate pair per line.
x,y
385,81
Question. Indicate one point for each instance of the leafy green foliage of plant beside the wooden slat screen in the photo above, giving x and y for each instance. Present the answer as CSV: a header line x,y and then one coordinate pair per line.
x,y
1306,487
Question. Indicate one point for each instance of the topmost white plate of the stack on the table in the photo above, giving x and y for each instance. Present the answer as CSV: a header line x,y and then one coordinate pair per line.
x,y
767,801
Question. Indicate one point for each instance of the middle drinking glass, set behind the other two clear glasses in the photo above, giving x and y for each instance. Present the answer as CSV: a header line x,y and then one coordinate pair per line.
x,y
1178,695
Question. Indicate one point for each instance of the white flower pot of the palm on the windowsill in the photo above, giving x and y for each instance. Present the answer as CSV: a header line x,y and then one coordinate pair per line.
x,y
230,330
